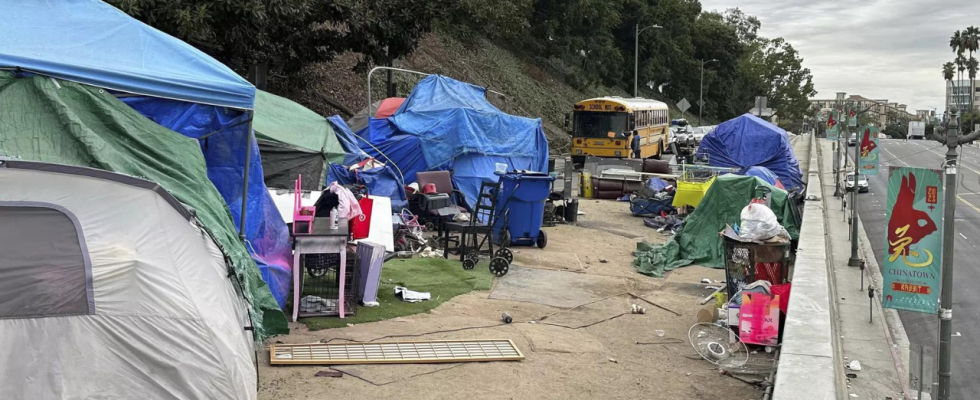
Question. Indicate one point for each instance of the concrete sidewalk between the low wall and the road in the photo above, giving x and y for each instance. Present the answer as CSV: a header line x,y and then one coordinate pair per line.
x,y
878,348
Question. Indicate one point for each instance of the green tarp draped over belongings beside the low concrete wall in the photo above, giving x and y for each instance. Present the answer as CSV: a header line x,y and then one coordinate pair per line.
x,y
698,241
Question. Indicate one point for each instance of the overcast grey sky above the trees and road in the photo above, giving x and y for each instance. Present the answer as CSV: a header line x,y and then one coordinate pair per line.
x,y
880,49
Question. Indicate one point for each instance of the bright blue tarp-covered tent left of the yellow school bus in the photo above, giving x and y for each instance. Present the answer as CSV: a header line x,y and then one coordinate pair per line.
x,y
445,124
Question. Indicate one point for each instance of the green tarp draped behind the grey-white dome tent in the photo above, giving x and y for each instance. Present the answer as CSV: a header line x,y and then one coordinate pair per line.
x,y
68,123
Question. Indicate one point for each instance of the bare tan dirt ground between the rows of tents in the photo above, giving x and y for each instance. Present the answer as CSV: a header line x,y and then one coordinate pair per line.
x,y
571,307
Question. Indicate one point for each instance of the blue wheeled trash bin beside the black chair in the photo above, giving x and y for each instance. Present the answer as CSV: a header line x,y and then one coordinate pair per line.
x,y
521,202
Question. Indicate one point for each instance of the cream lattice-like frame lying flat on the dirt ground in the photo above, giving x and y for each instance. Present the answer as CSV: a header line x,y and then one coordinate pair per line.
x,y
435,351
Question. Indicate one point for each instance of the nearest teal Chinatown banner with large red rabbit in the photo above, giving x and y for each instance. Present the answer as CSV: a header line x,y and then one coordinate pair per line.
x,y
914,240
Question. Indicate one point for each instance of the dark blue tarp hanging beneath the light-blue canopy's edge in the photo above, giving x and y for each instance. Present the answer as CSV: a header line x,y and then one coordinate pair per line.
x,y
224,153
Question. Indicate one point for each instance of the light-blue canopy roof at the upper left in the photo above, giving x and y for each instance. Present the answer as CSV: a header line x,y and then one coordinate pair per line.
x,y
91,42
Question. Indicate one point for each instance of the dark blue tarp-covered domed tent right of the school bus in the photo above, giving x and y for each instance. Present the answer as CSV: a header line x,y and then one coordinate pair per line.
x,y
749,141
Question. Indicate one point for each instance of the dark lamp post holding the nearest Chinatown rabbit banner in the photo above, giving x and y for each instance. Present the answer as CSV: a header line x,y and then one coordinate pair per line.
x,y
946,290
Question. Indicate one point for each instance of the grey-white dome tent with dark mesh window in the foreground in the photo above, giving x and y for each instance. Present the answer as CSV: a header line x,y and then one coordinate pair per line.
x,y
110,289
